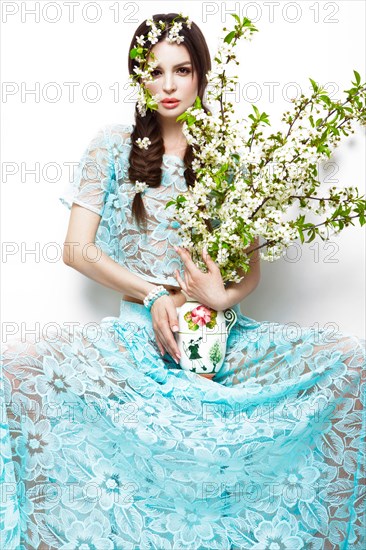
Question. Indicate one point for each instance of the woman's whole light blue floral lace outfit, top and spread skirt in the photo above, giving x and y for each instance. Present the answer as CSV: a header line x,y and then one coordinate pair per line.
x,y
106,445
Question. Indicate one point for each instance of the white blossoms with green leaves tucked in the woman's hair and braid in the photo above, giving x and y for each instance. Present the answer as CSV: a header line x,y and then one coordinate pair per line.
x,y
144,71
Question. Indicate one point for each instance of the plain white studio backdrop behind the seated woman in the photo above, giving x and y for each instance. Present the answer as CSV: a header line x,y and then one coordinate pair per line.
x,y
321,285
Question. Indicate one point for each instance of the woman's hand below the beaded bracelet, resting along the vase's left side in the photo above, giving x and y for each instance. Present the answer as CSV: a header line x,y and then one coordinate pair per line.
x,y
164,318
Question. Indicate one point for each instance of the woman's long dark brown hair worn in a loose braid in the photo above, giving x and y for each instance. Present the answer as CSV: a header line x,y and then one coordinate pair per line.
x,y
147,167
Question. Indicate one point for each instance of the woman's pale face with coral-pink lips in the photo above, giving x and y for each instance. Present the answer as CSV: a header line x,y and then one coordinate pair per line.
x,y
173,78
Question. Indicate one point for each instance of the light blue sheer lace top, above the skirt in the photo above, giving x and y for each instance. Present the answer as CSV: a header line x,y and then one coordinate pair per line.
x,y
101,184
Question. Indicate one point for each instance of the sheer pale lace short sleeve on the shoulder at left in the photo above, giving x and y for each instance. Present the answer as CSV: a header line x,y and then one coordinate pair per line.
x,y
92,177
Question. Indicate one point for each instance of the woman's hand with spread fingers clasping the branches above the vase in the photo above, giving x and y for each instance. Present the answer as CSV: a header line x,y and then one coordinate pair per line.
x,y
207,288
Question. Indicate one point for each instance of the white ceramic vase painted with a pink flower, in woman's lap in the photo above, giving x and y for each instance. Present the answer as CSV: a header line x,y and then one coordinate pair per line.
x,y
202,336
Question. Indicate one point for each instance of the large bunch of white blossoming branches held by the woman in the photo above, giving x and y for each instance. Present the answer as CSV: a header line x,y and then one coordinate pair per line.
x,y
251,185
